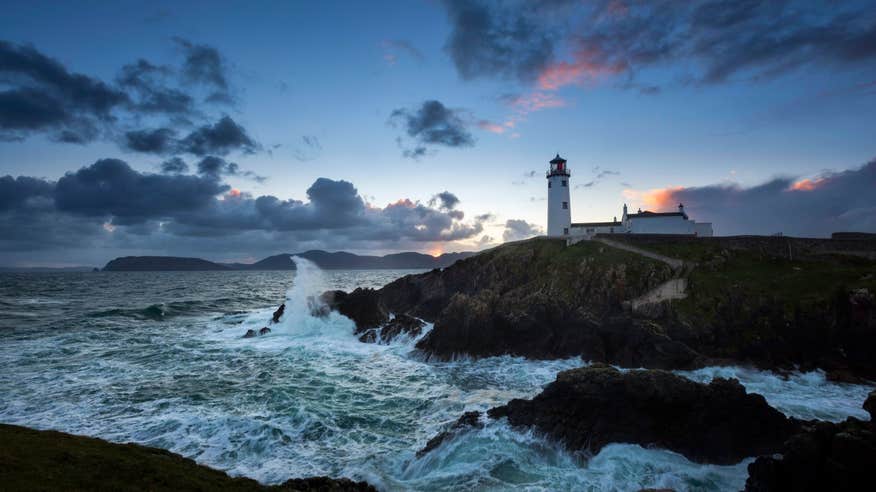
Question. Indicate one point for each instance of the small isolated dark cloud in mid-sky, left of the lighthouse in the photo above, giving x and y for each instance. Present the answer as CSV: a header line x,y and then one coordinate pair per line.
x,y
432,123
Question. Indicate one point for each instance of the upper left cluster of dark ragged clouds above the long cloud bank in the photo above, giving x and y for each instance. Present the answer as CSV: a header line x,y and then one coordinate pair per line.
x,y
41,96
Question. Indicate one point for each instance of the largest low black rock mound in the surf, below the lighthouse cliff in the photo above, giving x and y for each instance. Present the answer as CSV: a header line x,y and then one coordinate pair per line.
x,y
588,408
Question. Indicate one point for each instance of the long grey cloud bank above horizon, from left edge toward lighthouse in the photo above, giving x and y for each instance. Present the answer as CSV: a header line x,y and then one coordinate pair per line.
x,y
110,207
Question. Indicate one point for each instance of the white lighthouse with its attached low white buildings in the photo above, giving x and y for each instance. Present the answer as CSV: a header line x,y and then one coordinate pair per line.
x,y
642,222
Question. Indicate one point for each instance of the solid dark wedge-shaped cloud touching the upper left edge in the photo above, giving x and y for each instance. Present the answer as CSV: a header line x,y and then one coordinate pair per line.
x,y
42,95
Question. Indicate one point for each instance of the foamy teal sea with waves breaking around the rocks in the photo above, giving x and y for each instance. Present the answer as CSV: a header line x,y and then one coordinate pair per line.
x,y
157,358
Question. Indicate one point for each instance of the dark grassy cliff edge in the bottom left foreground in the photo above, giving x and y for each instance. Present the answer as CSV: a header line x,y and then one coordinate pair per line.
x,y
49,460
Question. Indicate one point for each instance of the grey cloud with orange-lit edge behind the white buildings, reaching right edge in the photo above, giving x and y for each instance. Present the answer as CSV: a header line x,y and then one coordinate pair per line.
x,y
830,202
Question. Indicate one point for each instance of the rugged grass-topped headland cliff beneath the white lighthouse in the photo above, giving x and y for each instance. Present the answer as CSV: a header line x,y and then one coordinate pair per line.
x,y
721,300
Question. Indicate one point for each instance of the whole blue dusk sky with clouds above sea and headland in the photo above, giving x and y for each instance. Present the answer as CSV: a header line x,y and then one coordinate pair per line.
x,y
232,130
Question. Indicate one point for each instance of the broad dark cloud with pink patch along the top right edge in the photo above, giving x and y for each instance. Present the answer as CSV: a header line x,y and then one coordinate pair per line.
x,y
708,41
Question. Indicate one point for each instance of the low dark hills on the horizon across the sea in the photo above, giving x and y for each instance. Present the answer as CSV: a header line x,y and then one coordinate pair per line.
x,y
323,259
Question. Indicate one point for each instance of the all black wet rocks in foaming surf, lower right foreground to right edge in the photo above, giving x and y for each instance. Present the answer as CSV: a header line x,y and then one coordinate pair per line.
x,y
719,423
